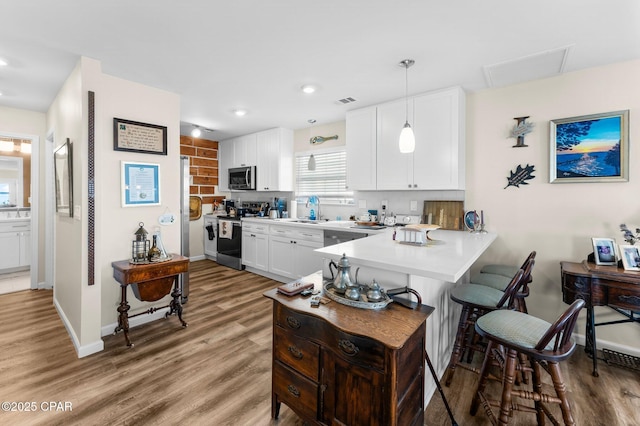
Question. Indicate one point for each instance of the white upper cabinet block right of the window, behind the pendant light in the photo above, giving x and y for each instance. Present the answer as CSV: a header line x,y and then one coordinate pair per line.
x,y
438,120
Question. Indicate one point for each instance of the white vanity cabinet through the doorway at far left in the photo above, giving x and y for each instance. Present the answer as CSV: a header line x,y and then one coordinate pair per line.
x,y
15,244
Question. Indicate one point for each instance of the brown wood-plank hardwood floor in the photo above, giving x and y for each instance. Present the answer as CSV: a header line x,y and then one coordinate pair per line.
x,y
217,371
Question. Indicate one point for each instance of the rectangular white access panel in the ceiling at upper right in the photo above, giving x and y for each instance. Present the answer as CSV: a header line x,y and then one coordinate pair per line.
x,y
533,67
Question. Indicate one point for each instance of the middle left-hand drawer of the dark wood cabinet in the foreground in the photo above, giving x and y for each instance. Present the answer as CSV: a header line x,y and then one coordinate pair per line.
x,y
296,352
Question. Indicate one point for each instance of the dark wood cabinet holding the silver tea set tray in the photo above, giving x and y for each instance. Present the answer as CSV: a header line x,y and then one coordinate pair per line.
x,y
339,365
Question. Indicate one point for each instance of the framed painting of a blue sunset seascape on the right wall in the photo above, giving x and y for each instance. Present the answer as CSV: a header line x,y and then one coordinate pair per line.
x,y
590,148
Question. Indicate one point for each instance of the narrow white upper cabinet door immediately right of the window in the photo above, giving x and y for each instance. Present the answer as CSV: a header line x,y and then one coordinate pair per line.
x,y
361,149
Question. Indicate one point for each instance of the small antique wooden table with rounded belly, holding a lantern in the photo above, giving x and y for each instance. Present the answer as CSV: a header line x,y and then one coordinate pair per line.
x,y
149,282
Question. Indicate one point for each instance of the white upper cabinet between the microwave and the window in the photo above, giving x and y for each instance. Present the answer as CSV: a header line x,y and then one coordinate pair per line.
x,y
275,160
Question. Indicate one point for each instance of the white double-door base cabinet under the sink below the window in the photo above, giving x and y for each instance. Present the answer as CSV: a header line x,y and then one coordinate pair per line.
x,y
291,250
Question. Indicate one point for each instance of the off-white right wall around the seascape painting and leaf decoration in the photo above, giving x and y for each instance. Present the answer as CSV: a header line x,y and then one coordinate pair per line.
x,y
556,220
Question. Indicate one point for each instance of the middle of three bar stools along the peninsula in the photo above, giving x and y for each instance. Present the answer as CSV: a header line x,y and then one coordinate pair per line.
x,y
476,300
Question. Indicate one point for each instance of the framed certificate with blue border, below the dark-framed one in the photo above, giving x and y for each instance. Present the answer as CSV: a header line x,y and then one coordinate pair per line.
x,y
140,184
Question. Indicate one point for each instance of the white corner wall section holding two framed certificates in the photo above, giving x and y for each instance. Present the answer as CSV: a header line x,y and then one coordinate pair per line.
x,y
86,309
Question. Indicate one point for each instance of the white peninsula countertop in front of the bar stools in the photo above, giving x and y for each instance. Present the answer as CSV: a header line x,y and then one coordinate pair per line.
x,y
448,257
